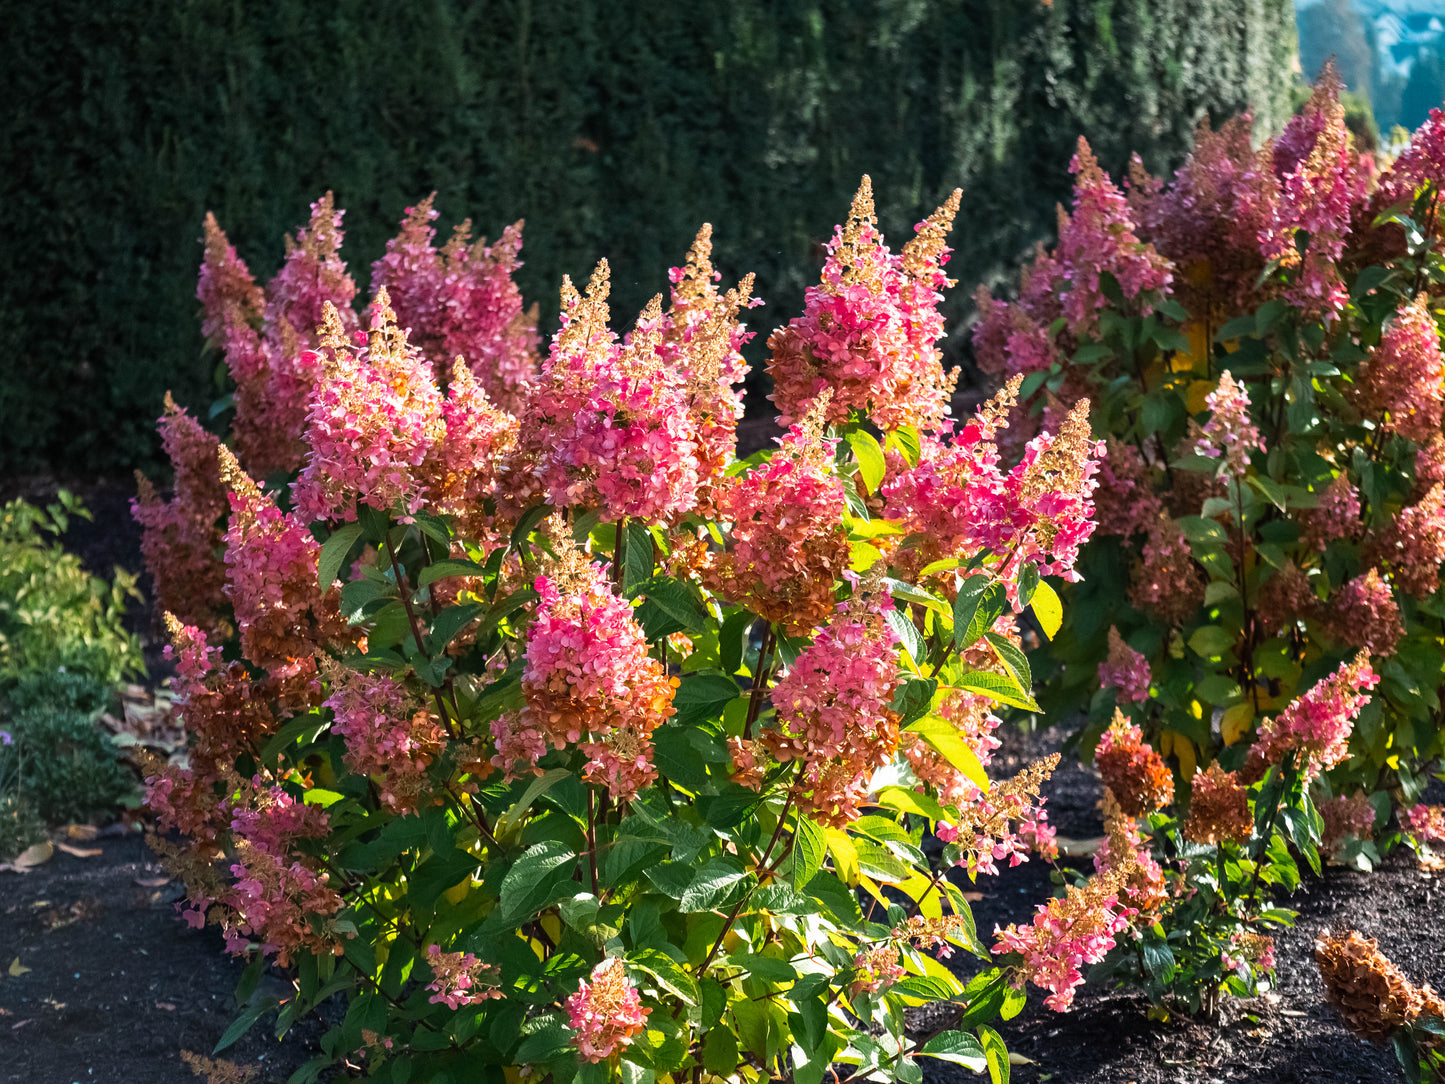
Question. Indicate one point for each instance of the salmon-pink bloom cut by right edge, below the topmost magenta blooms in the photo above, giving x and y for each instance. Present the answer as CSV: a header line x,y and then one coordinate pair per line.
x,y
1401,384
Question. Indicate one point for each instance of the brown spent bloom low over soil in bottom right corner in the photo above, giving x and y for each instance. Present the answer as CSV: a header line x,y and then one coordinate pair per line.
x,y
1372,994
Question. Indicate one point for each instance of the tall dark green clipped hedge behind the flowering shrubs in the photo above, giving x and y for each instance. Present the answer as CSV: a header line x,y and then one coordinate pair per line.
x,y
613,128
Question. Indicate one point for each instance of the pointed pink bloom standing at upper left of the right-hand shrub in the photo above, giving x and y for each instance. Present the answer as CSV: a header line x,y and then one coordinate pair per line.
x,y
1099,238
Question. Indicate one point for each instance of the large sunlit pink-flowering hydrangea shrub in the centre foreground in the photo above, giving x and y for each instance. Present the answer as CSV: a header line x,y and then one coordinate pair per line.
x,y
554,738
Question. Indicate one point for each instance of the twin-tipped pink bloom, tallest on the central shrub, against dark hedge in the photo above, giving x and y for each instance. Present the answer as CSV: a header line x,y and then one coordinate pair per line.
x,y
871,330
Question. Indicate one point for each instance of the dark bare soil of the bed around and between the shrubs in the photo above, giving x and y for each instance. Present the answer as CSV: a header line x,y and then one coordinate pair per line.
x,y
118,986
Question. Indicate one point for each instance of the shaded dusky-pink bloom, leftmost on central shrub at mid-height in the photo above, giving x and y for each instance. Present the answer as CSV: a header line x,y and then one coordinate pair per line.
x,y
181,537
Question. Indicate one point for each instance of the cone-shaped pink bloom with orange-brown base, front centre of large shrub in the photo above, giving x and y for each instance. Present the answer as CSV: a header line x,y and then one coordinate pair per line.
x,y
589,680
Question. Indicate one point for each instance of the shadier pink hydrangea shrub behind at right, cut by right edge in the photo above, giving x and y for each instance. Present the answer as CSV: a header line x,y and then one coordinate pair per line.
x,y
1261,336
